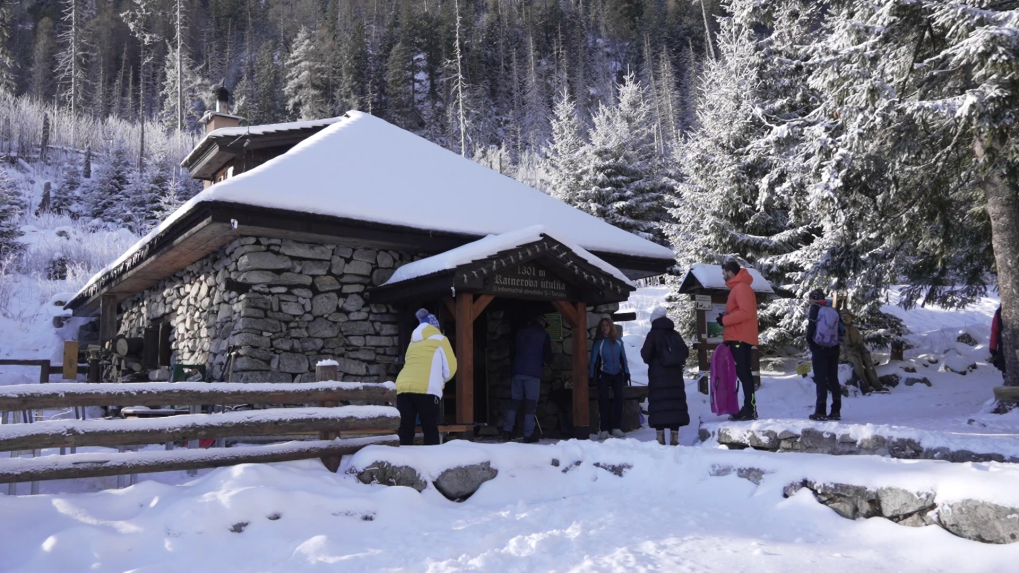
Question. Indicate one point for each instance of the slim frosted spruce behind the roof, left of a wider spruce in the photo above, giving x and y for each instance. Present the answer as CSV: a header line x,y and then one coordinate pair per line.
x,y
563,157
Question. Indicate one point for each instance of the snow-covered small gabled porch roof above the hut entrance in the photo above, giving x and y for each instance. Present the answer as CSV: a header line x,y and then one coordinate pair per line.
x,y
492,245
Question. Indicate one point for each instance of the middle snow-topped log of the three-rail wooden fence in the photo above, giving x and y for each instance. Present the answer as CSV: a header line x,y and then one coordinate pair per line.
x,y
77,434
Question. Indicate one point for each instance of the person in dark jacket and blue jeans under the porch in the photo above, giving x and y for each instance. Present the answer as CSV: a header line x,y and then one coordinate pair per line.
x,y
533,351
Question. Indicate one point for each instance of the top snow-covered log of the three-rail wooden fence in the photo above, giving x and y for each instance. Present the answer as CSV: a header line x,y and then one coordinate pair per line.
x,y
67,395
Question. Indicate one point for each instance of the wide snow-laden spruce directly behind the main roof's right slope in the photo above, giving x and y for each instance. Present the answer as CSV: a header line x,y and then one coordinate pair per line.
x,y
621,175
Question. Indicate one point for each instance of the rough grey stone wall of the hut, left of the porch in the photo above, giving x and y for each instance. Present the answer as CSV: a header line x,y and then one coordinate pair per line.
x,y
279,306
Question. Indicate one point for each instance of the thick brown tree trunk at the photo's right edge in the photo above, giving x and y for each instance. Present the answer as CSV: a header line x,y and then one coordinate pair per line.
x,y
1003,207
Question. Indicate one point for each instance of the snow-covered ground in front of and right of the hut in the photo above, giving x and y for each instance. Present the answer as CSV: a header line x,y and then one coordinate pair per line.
x,y
666,514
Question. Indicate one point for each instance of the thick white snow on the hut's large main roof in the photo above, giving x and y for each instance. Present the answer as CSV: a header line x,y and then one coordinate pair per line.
x,y
362,168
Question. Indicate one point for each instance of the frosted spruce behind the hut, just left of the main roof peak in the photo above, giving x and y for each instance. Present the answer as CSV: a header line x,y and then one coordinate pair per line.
x,y
306,75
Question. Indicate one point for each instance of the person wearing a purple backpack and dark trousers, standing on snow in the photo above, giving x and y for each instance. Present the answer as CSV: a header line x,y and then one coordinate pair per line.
x,y
824,339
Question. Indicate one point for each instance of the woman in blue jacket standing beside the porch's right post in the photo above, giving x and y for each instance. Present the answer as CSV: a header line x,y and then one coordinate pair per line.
x,y
609,369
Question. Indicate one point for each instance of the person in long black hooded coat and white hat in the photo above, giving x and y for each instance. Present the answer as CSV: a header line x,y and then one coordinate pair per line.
x,y
667,393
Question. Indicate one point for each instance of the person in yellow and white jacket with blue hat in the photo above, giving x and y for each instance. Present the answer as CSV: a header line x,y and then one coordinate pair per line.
x,y
430,366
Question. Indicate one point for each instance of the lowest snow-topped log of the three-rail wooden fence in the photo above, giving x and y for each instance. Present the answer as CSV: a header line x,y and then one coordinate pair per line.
x,y
98,465
